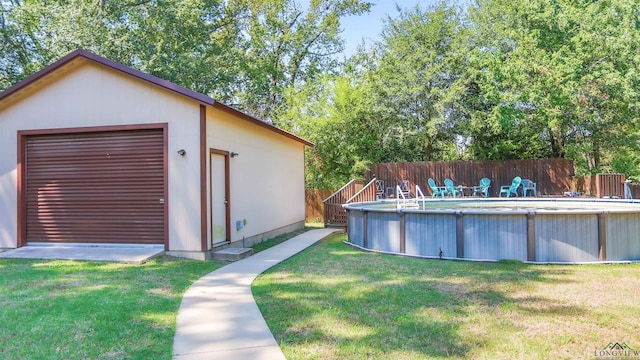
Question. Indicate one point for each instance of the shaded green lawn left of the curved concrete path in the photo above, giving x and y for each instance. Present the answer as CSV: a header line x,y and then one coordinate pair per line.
x,y
90,310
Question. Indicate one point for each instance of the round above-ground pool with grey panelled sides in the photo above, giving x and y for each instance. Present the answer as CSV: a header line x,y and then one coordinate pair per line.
x,y
539,231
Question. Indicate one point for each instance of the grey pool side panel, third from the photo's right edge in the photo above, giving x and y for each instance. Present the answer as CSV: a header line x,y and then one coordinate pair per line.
x,y
495,237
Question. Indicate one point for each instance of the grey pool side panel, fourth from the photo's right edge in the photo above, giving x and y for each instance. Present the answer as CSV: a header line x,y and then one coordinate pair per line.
x,y
426,235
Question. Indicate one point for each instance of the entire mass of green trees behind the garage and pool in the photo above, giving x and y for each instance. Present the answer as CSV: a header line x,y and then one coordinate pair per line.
x,y
496,79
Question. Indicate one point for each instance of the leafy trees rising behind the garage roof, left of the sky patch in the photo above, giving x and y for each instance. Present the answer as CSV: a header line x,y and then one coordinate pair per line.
x,y
244,52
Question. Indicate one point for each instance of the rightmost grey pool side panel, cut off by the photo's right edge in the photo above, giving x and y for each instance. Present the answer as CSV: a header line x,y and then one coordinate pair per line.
x,y
623,237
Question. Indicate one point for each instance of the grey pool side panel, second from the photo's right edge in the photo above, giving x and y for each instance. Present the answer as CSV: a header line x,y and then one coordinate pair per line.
x,y
566,238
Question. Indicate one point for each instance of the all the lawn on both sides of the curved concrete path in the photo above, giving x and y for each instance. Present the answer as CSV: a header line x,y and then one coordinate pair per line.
x,y
329,302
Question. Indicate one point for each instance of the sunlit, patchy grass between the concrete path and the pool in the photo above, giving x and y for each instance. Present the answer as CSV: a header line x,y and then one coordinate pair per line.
x,y
336,302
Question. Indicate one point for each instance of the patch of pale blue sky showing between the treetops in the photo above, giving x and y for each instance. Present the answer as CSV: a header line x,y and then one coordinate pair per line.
x,y
369,26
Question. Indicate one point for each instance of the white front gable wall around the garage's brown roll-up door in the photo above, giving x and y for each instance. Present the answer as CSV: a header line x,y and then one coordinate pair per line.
x,y
96,96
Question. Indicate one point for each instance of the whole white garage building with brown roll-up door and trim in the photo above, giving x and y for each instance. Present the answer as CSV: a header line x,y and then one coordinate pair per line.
x,y
92,151
